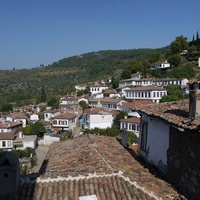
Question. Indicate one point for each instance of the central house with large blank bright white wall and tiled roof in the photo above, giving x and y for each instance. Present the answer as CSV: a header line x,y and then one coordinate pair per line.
x,y
97,118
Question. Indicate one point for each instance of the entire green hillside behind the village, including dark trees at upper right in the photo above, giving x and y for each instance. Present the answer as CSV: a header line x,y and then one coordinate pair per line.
x,y
24,86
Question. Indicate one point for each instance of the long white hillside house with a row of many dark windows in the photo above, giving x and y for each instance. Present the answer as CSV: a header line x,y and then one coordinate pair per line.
x,y
152,93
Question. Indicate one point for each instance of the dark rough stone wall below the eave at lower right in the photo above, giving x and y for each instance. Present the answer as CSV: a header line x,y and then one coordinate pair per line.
x,y
184,162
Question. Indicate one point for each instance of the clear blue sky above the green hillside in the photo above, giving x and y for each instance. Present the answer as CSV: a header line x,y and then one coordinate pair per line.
x,y
34,32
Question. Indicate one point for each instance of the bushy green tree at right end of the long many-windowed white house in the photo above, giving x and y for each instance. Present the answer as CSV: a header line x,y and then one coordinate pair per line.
x,y
174,93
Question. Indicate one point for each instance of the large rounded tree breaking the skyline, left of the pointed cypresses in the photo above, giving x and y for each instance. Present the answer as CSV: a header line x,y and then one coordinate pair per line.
x,y
178,45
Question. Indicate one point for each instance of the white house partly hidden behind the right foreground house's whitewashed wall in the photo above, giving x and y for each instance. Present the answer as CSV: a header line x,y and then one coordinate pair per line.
x,y
131,124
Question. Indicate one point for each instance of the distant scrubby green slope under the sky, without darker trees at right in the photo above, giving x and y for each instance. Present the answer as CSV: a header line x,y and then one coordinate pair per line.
x,y
60,76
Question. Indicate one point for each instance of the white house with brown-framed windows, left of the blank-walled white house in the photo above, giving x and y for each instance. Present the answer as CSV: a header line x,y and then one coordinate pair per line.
x,y
65,121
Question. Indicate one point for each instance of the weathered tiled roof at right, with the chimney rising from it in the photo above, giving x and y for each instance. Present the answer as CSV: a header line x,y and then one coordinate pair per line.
x,y
175,113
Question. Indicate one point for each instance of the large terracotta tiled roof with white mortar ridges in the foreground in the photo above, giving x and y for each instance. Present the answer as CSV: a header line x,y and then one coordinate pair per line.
x,y
94,165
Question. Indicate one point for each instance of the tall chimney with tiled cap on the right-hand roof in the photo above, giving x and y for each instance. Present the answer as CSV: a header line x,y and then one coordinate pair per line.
x,y
194,98
